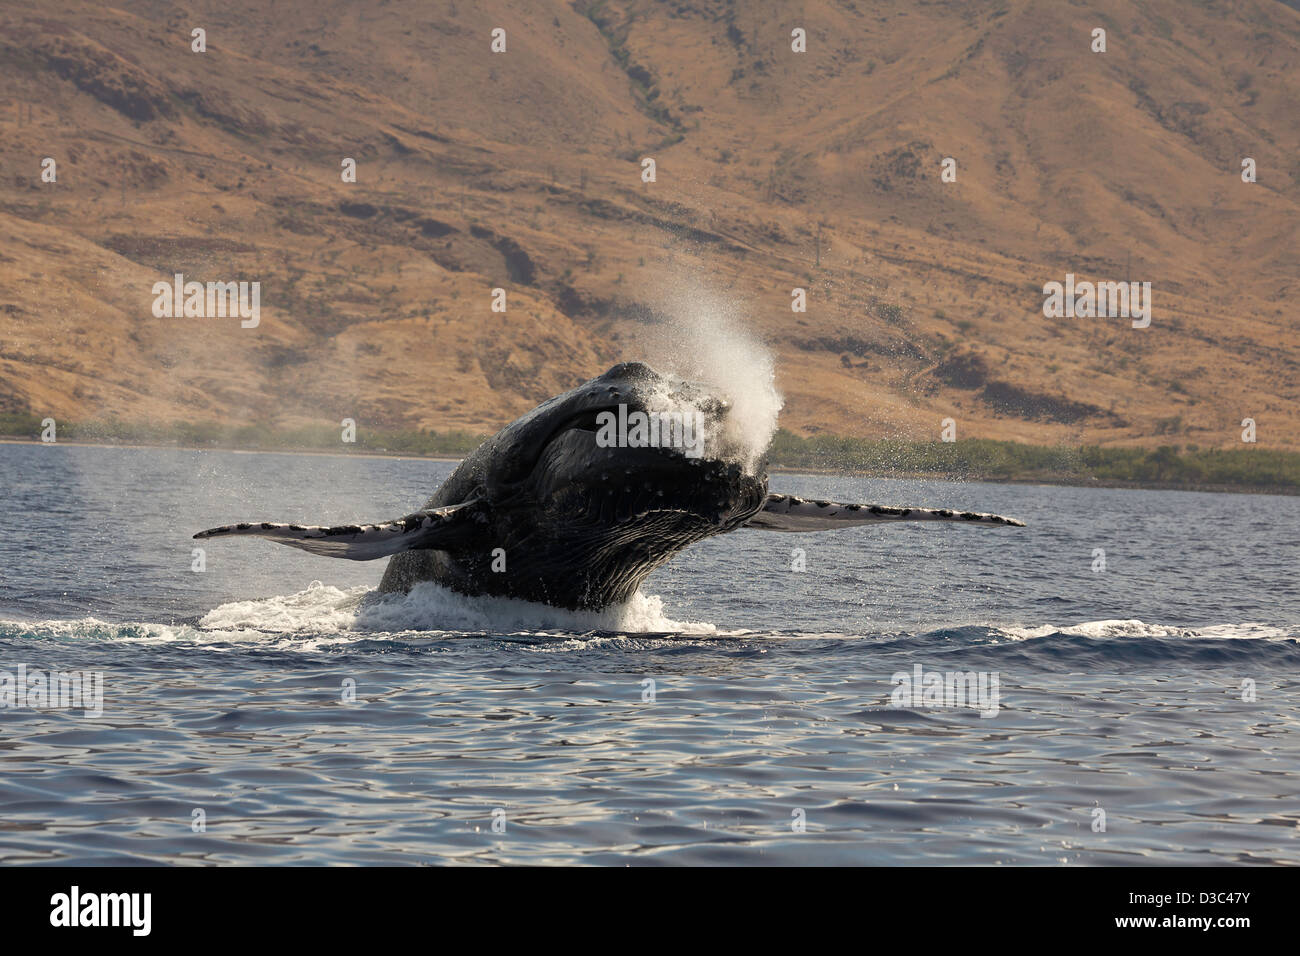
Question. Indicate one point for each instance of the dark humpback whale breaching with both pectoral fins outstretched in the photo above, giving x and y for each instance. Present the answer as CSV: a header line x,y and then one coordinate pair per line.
x,y
549,512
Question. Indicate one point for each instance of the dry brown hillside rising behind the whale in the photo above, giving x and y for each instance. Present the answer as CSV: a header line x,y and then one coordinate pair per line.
x,y
774,170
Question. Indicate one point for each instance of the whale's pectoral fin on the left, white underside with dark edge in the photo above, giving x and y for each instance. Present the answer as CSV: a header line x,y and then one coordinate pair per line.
x,y
435,529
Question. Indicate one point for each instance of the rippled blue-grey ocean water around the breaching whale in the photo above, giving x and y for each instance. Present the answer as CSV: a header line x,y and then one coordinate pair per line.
x,y
1145,713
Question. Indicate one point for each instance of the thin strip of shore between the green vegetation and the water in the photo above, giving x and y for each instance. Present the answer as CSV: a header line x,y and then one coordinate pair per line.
x,y
1029,479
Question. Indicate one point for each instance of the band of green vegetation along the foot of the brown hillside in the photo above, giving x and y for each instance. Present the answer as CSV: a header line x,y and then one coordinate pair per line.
x,y
1250,469
